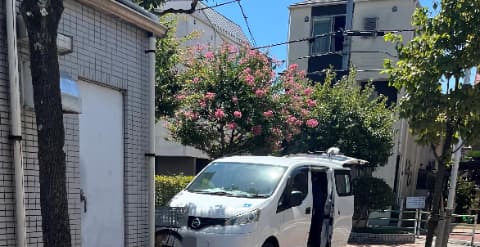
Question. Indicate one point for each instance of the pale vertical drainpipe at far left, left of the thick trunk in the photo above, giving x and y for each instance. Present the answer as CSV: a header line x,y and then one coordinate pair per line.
x,y
15,121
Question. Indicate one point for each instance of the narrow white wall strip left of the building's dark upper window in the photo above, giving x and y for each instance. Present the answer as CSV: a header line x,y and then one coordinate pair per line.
x,y
299,29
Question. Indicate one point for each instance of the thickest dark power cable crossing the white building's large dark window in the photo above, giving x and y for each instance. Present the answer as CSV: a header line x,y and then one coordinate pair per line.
x,y
357,33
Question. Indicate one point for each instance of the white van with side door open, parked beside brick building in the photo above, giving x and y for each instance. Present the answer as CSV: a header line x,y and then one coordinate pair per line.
x,y
264,201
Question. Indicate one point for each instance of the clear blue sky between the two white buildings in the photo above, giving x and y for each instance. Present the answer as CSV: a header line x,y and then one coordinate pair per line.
x,y
268,20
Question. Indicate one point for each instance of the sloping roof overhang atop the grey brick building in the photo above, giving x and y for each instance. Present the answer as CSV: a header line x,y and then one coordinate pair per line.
x,y
128,14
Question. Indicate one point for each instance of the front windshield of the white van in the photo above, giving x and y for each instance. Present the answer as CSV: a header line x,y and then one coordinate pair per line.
x,y
238,180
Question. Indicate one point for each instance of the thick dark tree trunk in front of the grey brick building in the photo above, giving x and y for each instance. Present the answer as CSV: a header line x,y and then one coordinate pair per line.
x,y
41,19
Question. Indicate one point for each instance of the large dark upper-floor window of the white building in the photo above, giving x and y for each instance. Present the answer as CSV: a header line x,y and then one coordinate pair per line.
x,y
328,42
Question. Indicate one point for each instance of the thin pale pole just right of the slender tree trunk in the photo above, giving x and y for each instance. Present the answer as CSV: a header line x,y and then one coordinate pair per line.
x,y
442,239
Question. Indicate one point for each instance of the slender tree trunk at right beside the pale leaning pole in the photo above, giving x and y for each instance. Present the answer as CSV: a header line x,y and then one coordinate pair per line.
x,y
439,183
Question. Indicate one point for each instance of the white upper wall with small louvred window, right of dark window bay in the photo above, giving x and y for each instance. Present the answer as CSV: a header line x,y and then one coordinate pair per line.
x,y
387,20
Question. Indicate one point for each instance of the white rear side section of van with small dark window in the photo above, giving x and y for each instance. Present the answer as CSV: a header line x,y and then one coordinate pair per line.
x,y
343,208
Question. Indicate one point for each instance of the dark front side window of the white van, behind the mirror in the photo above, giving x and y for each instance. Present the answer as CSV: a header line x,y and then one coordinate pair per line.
x,y
298,181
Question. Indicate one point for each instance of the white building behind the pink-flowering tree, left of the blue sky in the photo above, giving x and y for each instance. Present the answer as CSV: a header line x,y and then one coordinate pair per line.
x,y
214,29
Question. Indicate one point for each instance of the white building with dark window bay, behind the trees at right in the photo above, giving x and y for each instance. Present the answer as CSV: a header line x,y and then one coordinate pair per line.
x,y
409,162
